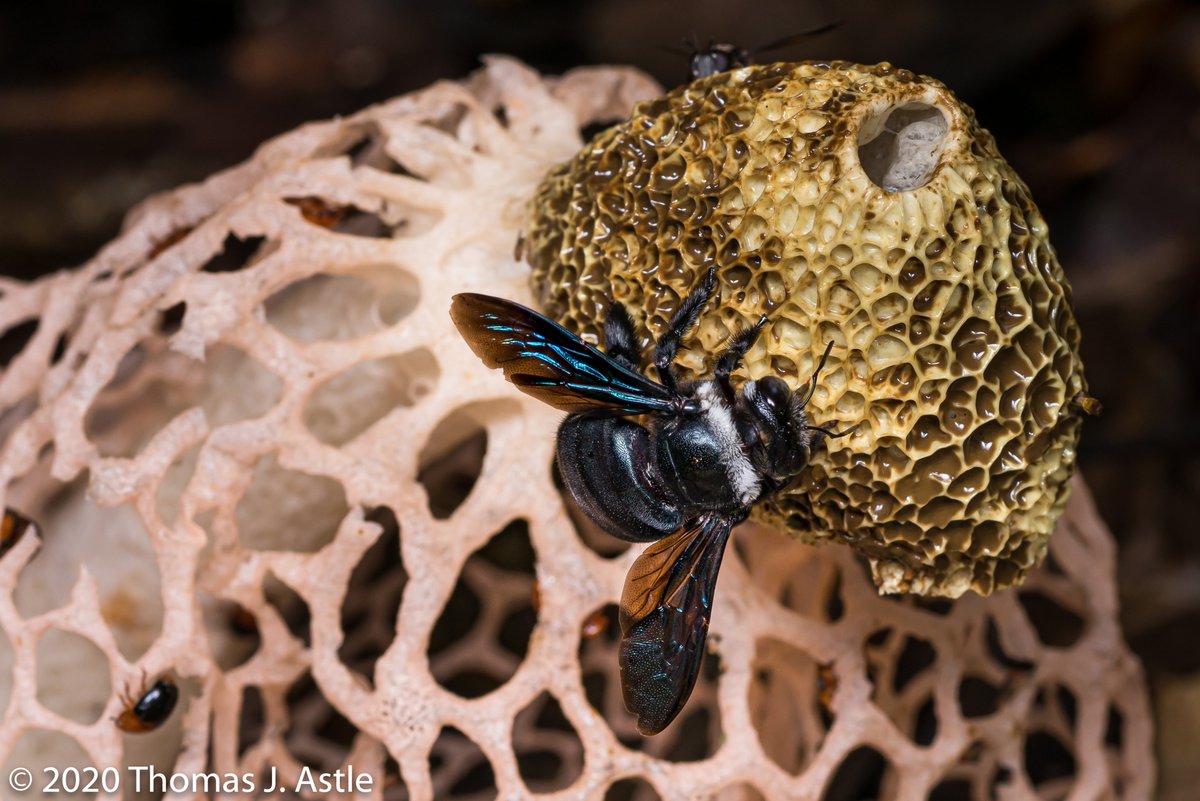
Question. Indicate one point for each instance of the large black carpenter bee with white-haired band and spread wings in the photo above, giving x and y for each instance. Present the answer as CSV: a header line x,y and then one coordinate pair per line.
x,y
704,455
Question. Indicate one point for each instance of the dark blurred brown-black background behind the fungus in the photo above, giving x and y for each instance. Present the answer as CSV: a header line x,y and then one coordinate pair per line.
x,y
1095,104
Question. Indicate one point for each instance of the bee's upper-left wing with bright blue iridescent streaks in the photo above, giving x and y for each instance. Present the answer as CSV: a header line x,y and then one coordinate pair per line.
x,y
549,363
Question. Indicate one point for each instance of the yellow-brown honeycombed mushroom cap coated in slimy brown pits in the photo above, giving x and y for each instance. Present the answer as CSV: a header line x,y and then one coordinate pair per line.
x,y
861,206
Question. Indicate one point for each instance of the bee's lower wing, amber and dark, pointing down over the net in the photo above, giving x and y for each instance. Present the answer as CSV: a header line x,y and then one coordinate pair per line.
x,y
665,610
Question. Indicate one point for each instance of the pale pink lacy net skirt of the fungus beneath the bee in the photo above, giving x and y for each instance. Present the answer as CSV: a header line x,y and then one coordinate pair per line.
x,y
262,462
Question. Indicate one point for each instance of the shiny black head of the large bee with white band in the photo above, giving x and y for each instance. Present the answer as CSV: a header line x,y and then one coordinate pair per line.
x,y
775,429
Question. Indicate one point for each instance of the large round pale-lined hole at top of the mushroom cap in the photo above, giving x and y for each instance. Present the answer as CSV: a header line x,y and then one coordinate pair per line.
x,y
899,147
